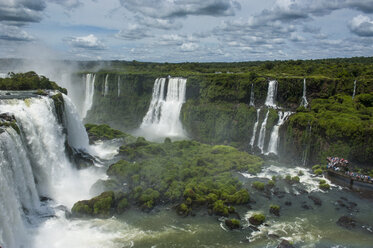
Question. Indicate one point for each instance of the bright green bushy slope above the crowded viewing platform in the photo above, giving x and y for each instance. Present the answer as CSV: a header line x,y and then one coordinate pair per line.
x,y
341,126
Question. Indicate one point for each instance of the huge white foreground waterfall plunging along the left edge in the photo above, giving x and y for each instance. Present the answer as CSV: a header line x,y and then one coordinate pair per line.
x,y
33,164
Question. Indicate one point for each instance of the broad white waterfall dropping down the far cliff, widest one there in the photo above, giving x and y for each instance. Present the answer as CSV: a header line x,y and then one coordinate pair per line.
x,y
162,118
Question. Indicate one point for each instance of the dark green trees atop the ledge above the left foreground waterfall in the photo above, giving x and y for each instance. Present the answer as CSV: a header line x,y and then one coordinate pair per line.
x,y
28,81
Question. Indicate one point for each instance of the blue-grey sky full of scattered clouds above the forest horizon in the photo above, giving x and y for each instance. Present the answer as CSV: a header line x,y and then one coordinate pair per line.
x,y
186,30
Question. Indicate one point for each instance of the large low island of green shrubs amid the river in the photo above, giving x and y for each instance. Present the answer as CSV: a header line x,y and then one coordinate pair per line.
x,y
187,173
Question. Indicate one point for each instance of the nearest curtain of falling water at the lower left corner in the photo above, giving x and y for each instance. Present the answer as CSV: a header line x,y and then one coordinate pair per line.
x,y
18,194
